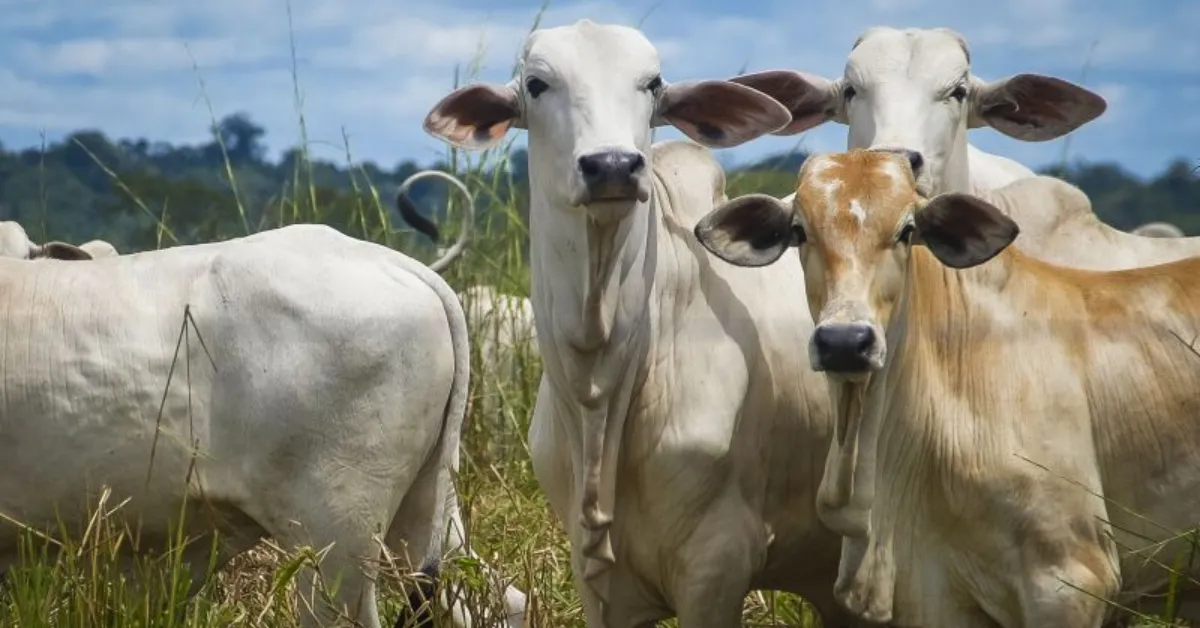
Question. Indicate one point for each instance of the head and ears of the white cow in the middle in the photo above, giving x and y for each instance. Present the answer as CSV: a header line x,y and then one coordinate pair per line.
x,y
590,95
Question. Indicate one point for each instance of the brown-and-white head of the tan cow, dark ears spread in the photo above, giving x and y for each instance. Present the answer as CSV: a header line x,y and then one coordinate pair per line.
x,y
855,219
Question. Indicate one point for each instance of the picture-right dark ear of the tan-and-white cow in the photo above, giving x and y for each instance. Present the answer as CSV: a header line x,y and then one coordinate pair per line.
x,y
963,231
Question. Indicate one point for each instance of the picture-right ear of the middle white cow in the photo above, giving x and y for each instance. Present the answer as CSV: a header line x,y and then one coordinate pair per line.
x,y
719,113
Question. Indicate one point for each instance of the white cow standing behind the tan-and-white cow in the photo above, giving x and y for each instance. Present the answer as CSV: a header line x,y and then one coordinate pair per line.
x,y
913,92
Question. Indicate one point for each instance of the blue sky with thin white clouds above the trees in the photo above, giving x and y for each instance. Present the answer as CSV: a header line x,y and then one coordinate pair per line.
x,y
375,68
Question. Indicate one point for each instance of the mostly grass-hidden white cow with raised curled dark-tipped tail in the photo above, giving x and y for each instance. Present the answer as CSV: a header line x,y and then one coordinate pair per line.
x,y
502,324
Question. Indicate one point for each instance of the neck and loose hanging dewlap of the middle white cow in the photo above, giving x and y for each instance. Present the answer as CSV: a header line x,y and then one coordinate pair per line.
x,y
593,289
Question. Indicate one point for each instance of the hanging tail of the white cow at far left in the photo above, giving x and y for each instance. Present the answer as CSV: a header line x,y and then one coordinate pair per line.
x,y
449,537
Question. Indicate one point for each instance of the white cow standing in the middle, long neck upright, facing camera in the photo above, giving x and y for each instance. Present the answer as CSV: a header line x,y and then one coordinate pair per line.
x,y
679,434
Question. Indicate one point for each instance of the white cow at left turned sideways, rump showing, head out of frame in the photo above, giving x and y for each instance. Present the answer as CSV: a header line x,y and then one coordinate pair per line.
x,y
315,391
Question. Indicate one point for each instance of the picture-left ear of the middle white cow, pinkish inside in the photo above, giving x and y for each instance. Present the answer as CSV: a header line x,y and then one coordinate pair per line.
x,y
476,117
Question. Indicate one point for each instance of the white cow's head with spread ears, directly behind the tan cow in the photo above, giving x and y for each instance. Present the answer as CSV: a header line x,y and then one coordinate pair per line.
x,y
913,91
